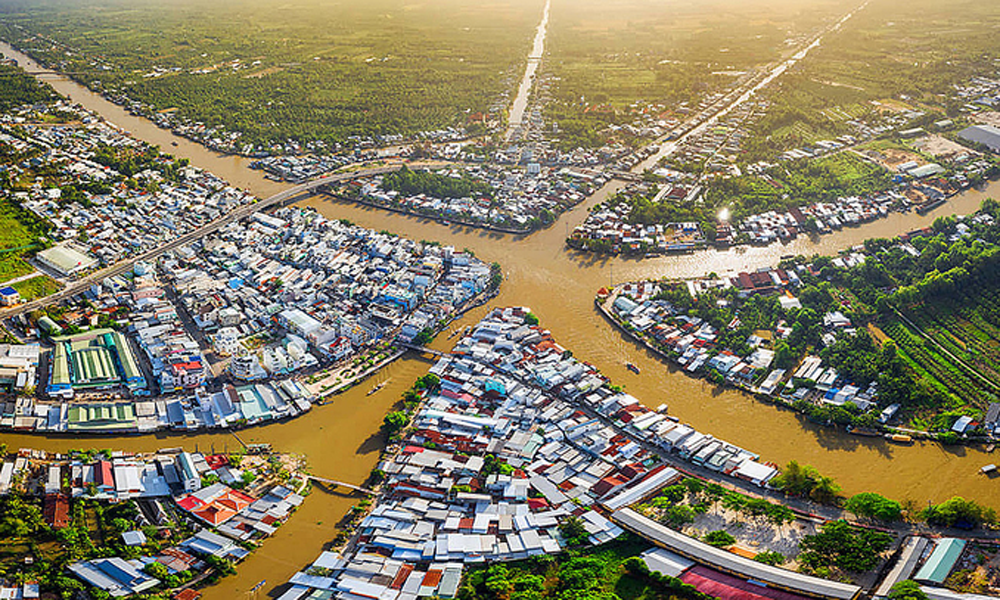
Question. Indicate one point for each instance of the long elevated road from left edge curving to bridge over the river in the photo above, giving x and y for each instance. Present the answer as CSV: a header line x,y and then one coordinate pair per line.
x,y
290,195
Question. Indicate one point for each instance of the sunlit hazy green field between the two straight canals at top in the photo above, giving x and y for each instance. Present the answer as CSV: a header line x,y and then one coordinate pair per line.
x,y
606,56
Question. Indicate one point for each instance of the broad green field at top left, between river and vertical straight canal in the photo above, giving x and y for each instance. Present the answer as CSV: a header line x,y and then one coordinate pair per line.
x,y
307,70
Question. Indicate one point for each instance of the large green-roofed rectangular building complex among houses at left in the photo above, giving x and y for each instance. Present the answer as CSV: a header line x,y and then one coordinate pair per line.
x,y
94,360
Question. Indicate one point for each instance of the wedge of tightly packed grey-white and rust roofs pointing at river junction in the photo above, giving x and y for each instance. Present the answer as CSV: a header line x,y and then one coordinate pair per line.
x,y
513,438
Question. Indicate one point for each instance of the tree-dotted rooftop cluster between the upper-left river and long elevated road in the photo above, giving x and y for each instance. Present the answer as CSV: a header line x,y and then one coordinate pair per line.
x,y
116,196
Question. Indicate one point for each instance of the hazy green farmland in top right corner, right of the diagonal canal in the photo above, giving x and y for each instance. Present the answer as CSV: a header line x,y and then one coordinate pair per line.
x,y
881,53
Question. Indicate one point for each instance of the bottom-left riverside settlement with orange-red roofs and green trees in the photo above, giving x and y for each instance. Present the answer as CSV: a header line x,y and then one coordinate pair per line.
x,y
127,523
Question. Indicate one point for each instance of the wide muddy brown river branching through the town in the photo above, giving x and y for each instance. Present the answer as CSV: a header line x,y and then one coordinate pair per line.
x,y
340,439
